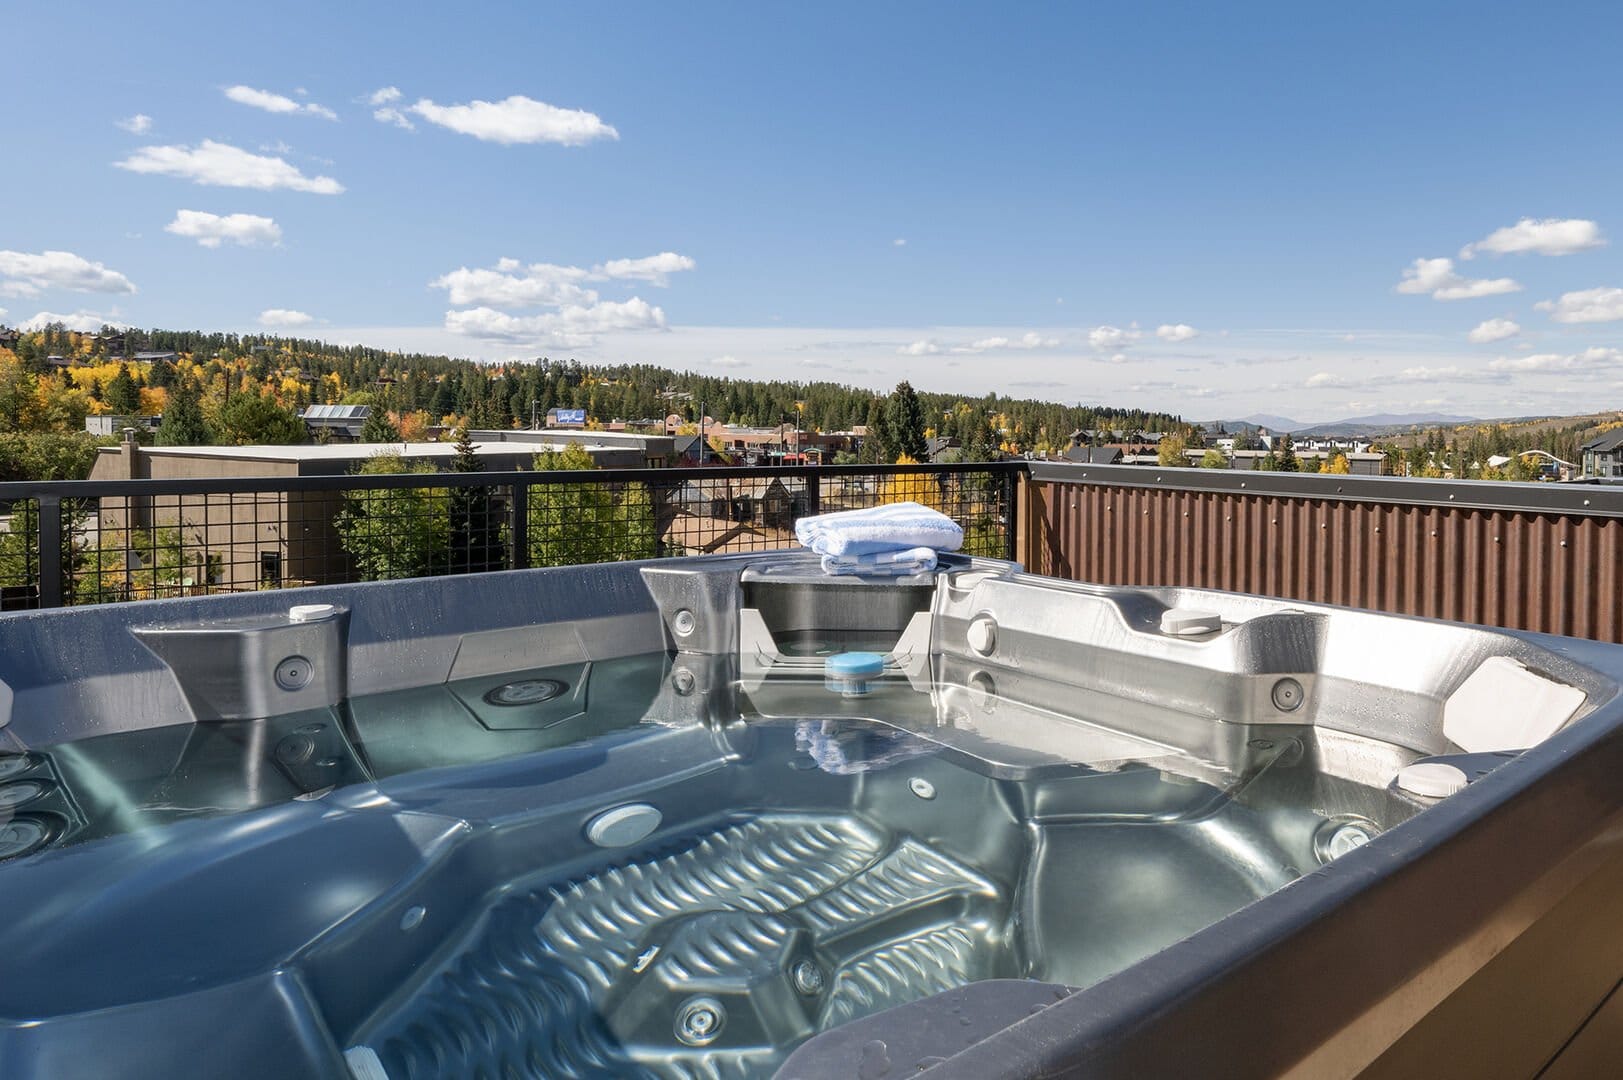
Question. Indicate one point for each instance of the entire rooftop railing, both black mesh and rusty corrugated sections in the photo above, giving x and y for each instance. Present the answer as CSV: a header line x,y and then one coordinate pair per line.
x,y
1526,556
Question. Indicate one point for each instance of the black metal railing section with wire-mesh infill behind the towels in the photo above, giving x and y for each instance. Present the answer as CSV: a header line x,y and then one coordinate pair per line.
x,y
98,542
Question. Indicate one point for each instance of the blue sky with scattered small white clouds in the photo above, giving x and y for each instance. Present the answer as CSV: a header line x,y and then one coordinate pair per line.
x,y
1205,209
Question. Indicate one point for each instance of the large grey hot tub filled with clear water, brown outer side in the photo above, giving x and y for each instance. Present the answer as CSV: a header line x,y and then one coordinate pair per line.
x,y
644,821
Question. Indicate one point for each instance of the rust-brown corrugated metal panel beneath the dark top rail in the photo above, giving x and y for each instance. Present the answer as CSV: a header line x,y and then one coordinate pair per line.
x,y
1520,569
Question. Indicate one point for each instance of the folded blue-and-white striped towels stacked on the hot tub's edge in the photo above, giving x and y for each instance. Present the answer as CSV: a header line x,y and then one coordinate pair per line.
x,y
892,540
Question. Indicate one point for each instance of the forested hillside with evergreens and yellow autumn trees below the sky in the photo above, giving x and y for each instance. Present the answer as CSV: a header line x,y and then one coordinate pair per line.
x,y
233,389
